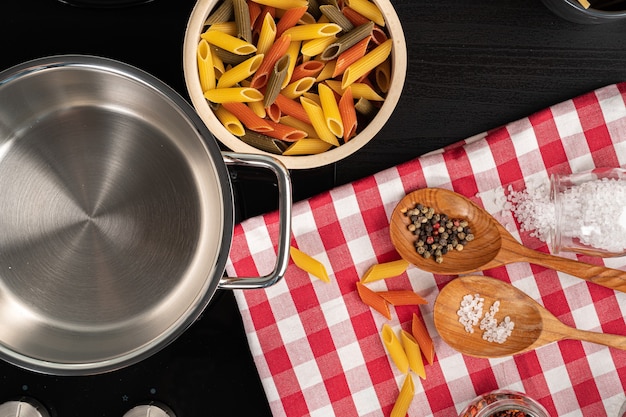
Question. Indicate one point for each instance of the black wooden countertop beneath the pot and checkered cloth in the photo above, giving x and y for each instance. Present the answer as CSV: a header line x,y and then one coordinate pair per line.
x,y
472,66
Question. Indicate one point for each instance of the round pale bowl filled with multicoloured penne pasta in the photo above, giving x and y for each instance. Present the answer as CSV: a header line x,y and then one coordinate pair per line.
x,y
309,85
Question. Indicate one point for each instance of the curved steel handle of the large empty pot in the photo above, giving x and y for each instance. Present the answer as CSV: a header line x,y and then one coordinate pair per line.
x,y
284,231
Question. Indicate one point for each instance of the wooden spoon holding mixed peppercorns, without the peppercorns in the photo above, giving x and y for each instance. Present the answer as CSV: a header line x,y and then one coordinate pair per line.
x,y
493,245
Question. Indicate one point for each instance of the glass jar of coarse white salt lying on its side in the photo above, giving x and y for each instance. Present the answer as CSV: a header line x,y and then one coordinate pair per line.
x,y
590,212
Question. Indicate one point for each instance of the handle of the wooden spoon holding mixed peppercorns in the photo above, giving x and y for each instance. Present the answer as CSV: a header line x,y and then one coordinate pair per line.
x,y
513,251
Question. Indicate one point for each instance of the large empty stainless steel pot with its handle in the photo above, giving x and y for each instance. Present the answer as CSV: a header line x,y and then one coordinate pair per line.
x,y
116,215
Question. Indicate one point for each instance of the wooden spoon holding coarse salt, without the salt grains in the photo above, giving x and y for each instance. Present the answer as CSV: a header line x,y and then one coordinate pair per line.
x,y
534,326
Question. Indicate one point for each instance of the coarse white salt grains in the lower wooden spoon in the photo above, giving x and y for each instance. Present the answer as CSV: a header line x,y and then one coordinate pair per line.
x,y
470,314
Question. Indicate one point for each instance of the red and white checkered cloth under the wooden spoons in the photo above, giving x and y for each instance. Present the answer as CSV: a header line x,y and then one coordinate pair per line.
x,y
317,347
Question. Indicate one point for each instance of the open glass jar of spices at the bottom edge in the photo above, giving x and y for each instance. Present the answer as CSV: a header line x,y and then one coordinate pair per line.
x,y
504,403
